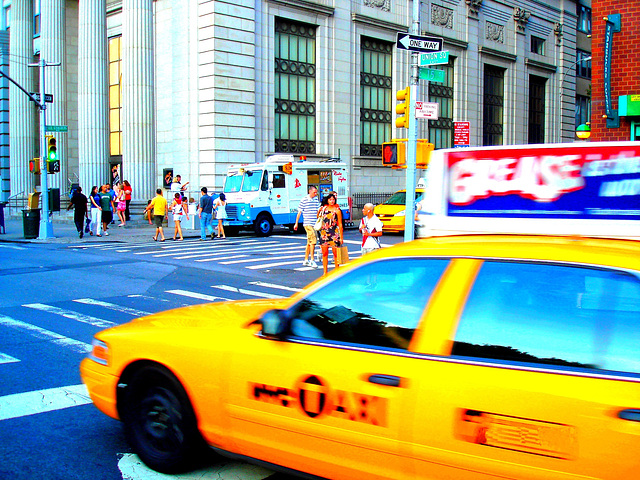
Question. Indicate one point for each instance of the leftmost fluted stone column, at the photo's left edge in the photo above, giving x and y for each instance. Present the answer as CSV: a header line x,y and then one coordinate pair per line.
x,y
23,112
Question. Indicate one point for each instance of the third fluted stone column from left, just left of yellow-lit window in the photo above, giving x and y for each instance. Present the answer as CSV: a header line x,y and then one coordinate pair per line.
x,y
93,94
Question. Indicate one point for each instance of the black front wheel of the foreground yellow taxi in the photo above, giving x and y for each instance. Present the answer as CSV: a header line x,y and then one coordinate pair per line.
x,y
159,421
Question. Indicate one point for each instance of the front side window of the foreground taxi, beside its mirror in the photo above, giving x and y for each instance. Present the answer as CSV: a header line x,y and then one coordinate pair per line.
x,y
377,304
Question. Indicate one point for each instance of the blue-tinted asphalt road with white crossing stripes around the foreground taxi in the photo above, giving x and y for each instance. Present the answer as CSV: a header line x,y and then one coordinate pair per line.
x,y
56,296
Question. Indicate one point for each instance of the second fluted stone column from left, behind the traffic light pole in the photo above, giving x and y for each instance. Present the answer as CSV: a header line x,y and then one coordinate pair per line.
x,y
52,50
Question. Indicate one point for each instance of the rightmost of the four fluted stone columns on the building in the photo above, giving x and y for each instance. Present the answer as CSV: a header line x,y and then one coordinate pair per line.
x,y
138,123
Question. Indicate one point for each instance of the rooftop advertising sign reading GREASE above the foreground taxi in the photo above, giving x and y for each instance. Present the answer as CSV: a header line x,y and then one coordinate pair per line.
x,y
574,188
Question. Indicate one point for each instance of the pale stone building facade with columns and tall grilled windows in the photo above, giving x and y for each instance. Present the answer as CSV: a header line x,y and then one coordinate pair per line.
x,y
152,87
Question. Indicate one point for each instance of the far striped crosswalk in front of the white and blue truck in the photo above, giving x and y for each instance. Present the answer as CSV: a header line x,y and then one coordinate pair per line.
x,y
250,253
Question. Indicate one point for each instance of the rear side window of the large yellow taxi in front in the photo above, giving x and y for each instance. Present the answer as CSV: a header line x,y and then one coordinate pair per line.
x,y
573,317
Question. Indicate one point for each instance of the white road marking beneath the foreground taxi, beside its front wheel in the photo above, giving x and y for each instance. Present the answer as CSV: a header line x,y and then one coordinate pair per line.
x,y
132,468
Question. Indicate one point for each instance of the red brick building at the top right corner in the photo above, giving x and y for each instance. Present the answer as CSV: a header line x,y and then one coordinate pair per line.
x,y
616,92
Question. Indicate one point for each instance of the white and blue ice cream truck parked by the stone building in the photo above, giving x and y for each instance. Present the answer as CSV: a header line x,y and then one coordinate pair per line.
x,y
261,195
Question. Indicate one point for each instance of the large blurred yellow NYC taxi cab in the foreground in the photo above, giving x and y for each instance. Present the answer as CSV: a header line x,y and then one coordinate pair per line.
x,y
462,357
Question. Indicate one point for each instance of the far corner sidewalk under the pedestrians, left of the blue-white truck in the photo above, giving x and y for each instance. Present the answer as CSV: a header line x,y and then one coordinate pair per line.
x,y
64,231
